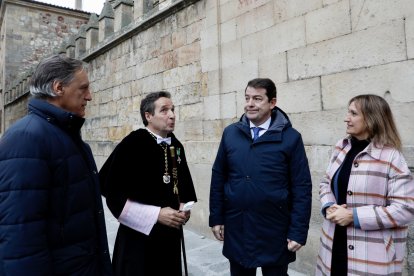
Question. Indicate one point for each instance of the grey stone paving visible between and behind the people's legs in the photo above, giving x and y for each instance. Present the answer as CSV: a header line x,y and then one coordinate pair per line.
x,y
204,256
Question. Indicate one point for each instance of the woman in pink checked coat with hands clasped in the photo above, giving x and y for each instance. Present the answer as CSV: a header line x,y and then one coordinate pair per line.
x,y
367,196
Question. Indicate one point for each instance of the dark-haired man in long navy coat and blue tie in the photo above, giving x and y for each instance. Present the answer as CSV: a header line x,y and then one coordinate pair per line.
x,y
260,195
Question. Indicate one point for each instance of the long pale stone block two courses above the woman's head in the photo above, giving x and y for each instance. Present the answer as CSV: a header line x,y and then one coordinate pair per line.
x,y
369,47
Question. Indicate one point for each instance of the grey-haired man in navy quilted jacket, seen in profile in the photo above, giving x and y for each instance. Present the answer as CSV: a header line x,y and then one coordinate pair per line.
x,y
51,214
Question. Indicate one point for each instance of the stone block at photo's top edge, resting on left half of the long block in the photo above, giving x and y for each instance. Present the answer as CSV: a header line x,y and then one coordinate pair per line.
x,y
328,22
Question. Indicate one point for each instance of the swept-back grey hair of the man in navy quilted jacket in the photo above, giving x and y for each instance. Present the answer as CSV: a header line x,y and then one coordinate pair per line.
x,y
55,68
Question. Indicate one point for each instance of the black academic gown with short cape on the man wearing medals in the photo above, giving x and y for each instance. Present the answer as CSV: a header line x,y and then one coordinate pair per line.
x,y
135,171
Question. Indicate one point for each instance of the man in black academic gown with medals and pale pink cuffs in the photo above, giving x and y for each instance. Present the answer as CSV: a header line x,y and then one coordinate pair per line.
x,y
145,188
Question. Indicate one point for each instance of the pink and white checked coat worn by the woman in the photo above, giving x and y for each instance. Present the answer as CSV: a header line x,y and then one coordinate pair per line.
x,y
381,189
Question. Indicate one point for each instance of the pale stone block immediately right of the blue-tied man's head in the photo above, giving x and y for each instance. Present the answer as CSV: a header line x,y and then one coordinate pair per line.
x,y
300,96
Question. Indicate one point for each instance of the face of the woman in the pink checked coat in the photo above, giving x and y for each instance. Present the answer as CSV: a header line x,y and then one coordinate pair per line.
x,y
355,123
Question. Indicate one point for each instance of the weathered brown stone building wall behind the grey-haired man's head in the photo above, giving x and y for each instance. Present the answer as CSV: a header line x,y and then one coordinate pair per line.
x,y
30,31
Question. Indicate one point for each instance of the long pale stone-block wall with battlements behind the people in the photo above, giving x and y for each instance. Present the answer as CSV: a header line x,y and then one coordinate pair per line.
x,y
320,53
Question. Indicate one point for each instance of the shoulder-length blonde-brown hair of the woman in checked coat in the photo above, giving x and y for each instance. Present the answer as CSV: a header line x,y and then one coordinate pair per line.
x,y
378,120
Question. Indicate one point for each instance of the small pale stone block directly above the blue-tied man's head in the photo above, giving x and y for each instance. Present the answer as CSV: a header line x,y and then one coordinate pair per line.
x,y
273,67
